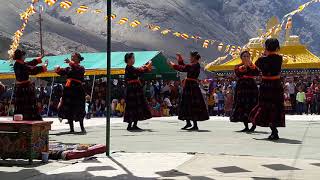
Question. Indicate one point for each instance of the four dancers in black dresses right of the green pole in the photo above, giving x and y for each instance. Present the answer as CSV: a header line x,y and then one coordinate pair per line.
x,y
261,107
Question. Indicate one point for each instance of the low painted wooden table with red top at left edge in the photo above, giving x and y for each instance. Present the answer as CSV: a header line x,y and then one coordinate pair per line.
x,y
24,139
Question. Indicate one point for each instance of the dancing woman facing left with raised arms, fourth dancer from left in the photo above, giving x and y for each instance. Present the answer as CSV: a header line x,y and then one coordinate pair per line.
x,y
192,106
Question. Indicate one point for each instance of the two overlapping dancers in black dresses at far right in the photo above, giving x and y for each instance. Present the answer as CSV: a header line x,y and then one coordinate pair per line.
x,y
263,107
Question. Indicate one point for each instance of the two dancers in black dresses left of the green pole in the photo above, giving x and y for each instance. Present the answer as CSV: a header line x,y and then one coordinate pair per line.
x,y
72,103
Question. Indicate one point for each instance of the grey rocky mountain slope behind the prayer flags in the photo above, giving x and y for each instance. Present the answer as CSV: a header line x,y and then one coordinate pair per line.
x,y
230,21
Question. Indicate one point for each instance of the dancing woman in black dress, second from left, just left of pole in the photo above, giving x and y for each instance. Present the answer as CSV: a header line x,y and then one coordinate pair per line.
x,y
72,105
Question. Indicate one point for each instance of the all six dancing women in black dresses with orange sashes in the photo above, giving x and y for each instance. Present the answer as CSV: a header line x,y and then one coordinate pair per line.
x,y
261,107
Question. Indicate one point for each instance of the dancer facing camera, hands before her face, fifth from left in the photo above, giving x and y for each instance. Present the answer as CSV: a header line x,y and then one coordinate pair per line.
x,y
246,91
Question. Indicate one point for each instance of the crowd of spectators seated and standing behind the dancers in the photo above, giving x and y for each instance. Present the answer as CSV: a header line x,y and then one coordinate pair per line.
x,y
302,96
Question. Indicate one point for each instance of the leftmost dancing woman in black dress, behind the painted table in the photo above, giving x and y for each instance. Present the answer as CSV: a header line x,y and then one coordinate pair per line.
x,y
25,97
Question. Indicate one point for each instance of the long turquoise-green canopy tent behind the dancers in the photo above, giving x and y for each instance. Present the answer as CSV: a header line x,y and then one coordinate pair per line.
x,y
95,64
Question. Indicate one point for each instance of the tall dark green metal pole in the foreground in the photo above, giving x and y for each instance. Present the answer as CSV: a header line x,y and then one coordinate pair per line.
x,y
108,75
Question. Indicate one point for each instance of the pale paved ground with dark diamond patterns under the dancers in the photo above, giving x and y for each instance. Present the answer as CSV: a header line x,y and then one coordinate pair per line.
x,y
163,151
